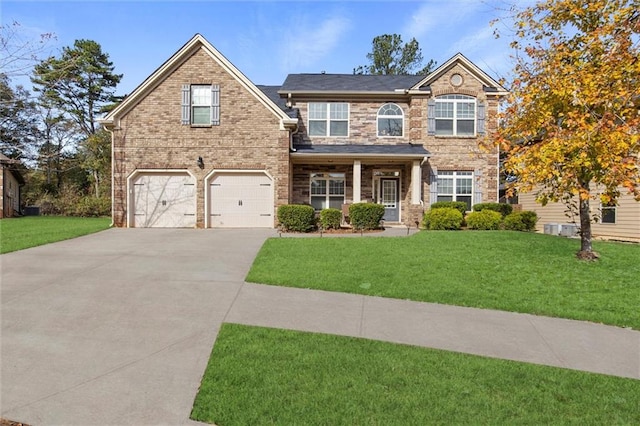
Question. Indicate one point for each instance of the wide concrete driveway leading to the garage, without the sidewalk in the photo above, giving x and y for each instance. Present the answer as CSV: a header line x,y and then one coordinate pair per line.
x,y
116,327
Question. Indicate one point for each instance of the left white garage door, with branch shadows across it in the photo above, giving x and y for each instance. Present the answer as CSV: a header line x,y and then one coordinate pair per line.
x,y
164,200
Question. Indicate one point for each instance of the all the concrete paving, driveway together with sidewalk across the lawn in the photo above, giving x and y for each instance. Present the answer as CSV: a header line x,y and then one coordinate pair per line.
x,y
116,328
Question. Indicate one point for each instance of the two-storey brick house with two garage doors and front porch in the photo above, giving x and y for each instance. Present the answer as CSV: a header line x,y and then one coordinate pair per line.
x,y
198,144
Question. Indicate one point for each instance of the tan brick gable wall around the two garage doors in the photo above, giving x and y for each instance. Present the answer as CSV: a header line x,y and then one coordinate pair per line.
x,y
151,135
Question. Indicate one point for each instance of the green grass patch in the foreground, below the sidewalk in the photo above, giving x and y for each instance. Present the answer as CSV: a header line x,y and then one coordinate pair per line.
x,y
260,376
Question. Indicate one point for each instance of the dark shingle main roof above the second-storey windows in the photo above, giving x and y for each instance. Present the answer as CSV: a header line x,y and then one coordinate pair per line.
x,y
348,82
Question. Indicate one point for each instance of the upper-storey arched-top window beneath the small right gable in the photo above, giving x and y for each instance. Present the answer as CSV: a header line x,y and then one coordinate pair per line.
x,y
455,115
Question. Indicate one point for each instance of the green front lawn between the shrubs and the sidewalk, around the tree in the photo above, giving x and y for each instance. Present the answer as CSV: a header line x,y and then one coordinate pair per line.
x,y
510,271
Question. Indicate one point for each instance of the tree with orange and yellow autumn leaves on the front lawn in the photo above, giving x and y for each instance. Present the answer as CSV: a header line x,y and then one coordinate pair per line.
x,y
570,129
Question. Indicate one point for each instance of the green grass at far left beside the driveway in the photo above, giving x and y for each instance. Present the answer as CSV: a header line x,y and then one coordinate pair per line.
x,y
24,232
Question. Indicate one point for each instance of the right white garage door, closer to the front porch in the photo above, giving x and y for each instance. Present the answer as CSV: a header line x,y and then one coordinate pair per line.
x,y
241,200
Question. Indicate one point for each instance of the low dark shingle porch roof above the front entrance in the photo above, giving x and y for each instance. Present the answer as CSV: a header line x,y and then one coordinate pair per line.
x,y
347,149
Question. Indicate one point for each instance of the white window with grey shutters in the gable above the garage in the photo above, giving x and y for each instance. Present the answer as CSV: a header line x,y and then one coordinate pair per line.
x,y
201,104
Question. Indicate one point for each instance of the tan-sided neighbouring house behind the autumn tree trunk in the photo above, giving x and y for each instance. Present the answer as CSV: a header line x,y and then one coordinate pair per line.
x,y
615,222
